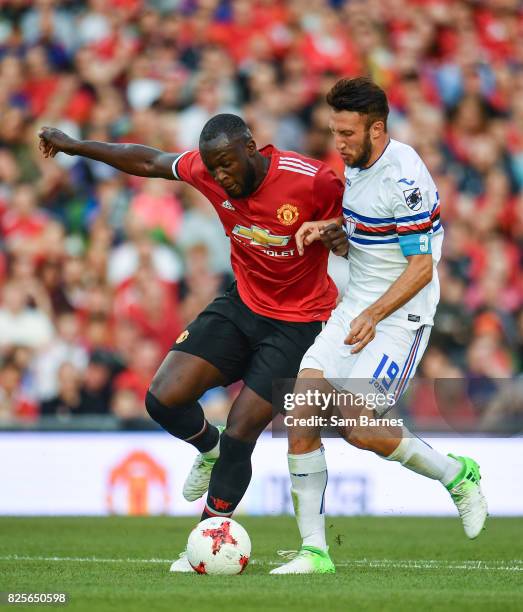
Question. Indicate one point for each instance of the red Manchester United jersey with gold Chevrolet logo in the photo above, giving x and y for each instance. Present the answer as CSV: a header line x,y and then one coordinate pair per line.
x,y
273,280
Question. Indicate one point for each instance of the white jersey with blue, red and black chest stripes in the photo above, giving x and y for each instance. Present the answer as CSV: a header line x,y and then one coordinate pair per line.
x,y
391,211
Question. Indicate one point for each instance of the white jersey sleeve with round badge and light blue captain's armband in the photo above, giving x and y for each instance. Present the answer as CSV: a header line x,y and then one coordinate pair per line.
x,y
413,200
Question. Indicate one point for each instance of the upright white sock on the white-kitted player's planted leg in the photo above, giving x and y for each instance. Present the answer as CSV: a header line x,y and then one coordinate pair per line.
x,y
309,481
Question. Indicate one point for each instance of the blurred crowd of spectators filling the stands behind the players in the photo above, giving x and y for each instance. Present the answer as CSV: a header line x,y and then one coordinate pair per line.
x,y
100,271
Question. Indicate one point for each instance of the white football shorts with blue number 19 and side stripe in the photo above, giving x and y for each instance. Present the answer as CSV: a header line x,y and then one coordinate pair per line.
x,y
385,366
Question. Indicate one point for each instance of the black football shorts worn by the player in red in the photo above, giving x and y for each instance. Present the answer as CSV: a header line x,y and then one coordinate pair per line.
x,y
247,346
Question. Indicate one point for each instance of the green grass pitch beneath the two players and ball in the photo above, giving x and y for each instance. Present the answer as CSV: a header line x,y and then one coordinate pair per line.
x,y
404,564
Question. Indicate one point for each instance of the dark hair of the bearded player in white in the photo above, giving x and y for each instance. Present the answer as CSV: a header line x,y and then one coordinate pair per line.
x,y
360,95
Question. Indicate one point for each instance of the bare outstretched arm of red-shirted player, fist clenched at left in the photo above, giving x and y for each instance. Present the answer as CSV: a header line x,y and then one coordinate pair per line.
x,y
131,158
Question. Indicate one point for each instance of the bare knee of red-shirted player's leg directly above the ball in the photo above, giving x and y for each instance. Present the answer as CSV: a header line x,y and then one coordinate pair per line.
x,y
249,415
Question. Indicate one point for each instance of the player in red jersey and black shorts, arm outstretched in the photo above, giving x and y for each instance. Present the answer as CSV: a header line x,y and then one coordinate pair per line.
x,y
260,329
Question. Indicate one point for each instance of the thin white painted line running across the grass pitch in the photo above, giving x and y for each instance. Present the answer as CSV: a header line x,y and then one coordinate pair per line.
x,y
513,565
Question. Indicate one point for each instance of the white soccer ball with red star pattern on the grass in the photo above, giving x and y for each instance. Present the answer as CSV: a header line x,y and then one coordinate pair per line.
x,y
219,546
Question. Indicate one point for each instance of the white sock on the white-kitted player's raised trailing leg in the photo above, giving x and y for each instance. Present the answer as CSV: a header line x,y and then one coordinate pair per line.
x,y
419,457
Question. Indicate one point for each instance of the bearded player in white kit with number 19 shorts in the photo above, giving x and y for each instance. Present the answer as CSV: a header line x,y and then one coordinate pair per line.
x,y
376,336
